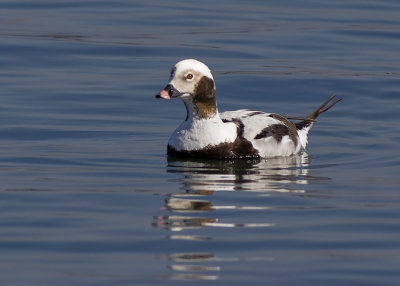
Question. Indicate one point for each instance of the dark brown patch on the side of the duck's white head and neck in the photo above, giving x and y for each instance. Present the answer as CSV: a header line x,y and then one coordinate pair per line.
x,y
204,98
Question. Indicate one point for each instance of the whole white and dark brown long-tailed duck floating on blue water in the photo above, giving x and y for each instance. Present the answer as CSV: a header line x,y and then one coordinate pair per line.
x,y
206,133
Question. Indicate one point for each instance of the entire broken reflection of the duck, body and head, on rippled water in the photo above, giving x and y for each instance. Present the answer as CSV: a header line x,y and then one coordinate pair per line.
x,y
194,206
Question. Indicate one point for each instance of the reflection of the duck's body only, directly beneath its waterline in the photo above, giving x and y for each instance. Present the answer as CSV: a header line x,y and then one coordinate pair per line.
x,y
264,175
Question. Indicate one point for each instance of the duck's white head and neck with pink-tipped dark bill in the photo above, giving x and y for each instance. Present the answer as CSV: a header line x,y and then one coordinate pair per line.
x,y
192,82
